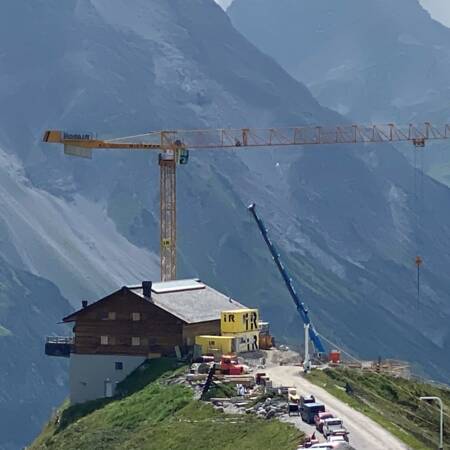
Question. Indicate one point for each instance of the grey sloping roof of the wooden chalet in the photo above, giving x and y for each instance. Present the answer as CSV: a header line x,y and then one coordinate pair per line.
x,y
189,300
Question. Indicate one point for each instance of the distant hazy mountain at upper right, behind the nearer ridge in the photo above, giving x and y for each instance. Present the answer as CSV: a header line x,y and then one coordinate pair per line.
x,y
373,61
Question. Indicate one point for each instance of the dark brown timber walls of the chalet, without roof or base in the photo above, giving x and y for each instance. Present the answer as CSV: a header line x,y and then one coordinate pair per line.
x,y
107,327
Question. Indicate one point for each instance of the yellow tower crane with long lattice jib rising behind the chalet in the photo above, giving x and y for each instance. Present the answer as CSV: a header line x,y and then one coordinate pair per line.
x,y
173,148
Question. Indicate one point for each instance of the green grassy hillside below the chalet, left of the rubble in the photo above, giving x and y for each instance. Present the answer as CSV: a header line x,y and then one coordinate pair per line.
x,y
154,414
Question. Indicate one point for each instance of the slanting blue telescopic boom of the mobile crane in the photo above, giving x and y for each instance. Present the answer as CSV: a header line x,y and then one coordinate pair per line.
x,y
300,306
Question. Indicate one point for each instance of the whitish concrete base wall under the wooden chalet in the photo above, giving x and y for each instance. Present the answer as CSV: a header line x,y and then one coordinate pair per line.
x,y
89,374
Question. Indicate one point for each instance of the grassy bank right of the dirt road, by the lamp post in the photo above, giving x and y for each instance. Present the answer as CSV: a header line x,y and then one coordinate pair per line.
x,y
392,402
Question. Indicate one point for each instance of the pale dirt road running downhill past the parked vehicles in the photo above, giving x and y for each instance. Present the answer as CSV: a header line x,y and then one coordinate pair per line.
x,y
365,434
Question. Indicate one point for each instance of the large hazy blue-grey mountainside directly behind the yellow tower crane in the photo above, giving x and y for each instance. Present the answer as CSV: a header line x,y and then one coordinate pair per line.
x,y
343,217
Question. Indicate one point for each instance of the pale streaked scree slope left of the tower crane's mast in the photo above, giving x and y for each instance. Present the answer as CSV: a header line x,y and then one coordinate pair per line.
x,y
64,240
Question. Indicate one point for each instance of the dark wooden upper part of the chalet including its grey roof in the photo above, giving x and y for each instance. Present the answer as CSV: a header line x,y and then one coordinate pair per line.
x,y
149,320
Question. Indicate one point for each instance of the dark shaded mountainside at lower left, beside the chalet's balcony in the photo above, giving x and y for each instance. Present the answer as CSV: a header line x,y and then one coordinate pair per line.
x,y
30,385
